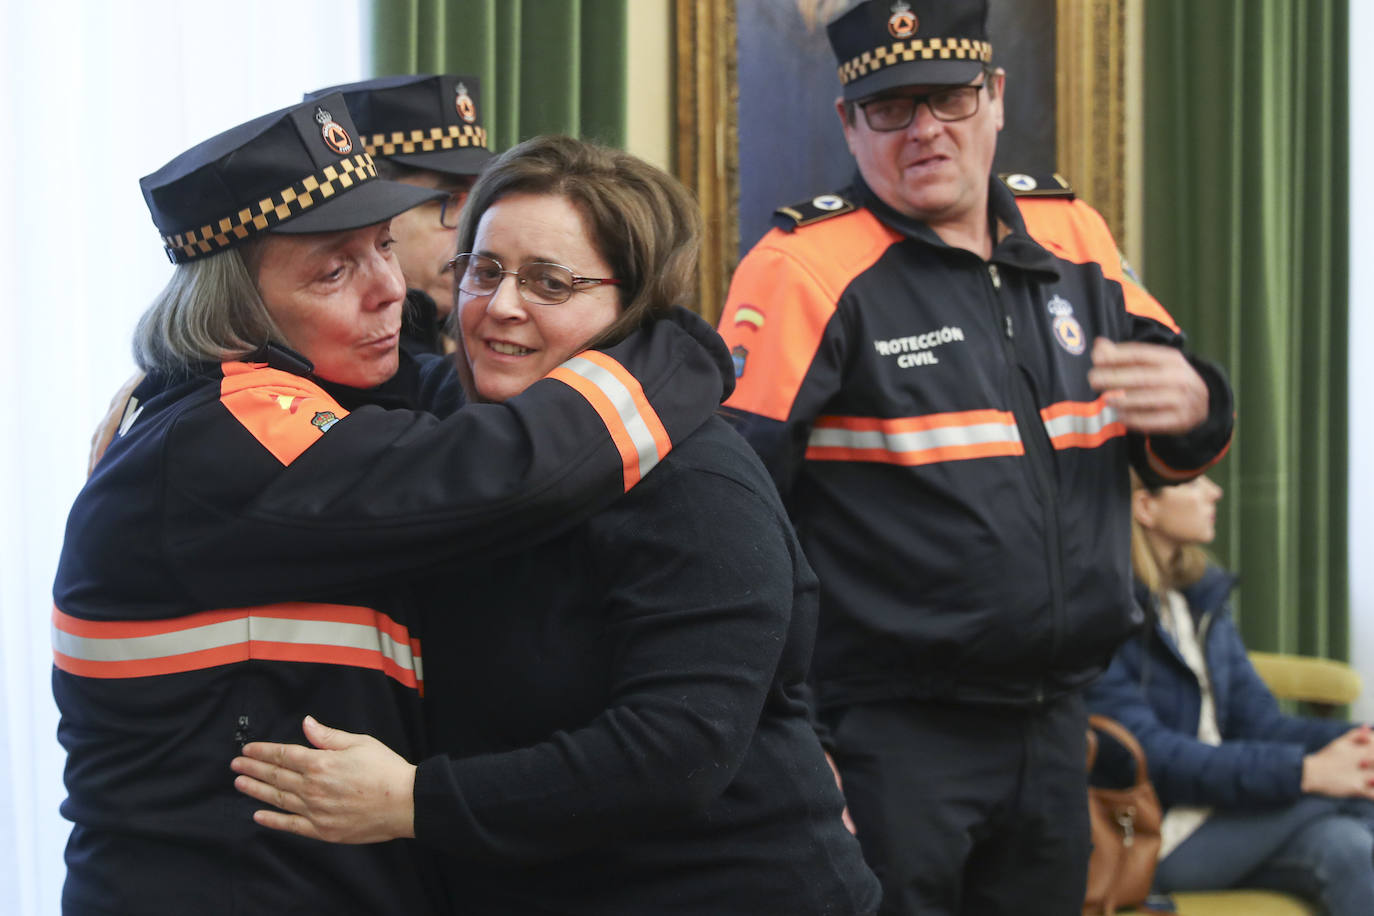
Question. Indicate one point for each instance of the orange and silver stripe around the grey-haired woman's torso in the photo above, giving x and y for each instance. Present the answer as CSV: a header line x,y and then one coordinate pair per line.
x,y
292,632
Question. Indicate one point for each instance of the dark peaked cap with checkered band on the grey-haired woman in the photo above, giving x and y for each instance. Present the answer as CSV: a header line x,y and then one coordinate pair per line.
x,y
302,170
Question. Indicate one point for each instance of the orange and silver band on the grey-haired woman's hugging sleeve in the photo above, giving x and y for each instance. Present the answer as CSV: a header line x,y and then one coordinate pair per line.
x,y
620,402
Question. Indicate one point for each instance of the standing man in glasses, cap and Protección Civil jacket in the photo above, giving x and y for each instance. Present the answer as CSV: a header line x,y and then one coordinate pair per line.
x,y
949,384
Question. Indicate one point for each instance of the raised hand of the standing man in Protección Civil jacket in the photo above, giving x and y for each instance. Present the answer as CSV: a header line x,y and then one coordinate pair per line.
x,y
1152,387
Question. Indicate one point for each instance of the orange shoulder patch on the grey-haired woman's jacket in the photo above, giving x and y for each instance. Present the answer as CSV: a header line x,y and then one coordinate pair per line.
x,y
285,413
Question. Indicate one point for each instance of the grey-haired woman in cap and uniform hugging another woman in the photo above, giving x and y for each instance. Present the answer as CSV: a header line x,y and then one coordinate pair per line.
x,y
232,564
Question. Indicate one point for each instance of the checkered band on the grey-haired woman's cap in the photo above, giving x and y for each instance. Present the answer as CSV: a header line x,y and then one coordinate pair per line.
x,y
269,212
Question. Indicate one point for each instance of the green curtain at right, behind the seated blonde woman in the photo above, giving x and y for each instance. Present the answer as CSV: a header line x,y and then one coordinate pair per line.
x,y
1246,241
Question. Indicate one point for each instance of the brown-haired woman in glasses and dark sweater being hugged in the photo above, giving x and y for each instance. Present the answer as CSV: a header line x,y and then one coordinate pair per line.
x,y
623,709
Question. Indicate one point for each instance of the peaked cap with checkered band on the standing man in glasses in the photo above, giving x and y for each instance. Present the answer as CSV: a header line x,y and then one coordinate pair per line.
x,y
884,45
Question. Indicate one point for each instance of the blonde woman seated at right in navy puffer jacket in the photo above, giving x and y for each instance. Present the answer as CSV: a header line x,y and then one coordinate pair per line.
x,y
1254,799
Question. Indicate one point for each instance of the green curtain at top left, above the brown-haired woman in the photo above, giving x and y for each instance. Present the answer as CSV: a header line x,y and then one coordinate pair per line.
x,y
548,67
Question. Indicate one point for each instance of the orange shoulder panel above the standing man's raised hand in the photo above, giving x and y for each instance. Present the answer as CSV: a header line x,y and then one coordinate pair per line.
x,y
1077,233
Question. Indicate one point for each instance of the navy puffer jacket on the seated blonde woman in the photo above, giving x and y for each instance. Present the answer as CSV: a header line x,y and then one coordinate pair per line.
x,y
1151,690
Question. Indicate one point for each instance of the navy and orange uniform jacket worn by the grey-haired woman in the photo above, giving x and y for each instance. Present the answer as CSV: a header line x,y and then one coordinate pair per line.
x,y
221,580
